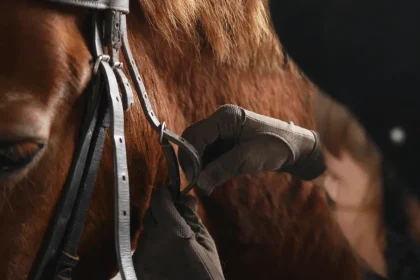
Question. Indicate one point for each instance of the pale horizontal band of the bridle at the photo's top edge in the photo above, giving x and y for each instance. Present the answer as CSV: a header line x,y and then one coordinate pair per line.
x,y
117,5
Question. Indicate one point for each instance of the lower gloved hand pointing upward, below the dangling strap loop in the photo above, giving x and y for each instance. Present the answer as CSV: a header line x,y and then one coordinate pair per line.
x,y
175,245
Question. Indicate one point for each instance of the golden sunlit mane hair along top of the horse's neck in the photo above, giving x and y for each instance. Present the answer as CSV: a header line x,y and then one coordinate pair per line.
x,y
237,32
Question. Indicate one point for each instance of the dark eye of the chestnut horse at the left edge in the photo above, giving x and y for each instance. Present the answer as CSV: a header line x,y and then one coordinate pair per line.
x,y
17,155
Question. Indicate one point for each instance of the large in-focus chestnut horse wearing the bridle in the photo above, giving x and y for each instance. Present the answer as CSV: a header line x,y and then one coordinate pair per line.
x,y
194,57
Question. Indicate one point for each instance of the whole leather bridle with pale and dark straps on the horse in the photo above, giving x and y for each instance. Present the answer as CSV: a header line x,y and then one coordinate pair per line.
x,y
105,108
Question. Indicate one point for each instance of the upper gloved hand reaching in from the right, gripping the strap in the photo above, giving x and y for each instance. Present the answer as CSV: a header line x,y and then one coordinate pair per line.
x,y
245,142
